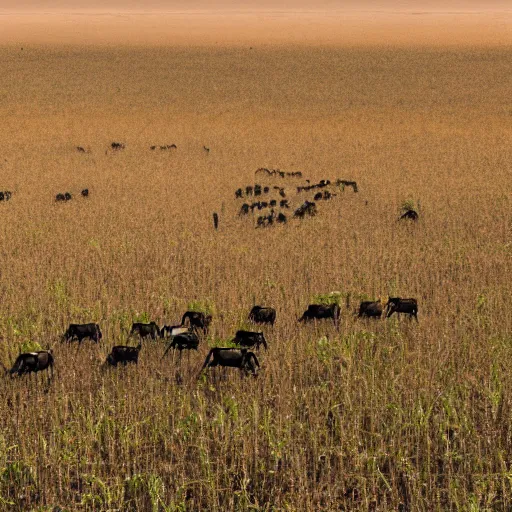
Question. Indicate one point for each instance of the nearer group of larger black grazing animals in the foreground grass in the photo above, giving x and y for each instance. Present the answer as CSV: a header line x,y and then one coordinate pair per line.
x,y
187,336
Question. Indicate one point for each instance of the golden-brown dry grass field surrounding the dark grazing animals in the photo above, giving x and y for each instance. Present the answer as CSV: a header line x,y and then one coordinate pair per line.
x,y
377,415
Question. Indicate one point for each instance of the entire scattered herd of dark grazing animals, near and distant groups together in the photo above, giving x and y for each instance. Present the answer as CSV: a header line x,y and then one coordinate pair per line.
x,y
194,325
